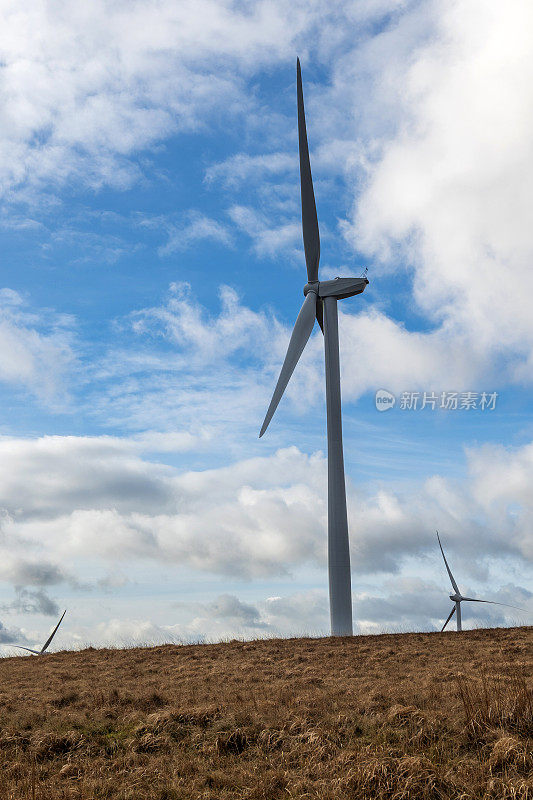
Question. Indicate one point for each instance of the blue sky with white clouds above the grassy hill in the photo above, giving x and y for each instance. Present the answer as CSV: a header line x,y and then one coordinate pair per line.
x,y
152,270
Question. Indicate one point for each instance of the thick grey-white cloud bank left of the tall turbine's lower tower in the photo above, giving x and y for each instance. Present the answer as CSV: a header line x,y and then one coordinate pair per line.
x,y
94,498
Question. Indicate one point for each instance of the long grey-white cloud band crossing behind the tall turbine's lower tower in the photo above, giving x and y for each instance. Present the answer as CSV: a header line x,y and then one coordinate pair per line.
x,y
96,500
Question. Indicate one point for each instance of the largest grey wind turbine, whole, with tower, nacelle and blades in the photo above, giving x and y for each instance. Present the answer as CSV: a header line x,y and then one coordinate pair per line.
x,y
321,303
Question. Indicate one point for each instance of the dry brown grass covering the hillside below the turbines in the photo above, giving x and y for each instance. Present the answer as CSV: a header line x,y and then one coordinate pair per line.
x,y
393,716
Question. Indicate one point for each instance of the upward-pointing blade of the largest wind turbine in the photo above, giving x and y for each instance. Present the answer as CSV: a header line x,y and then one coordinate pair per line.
x,y
309,216
